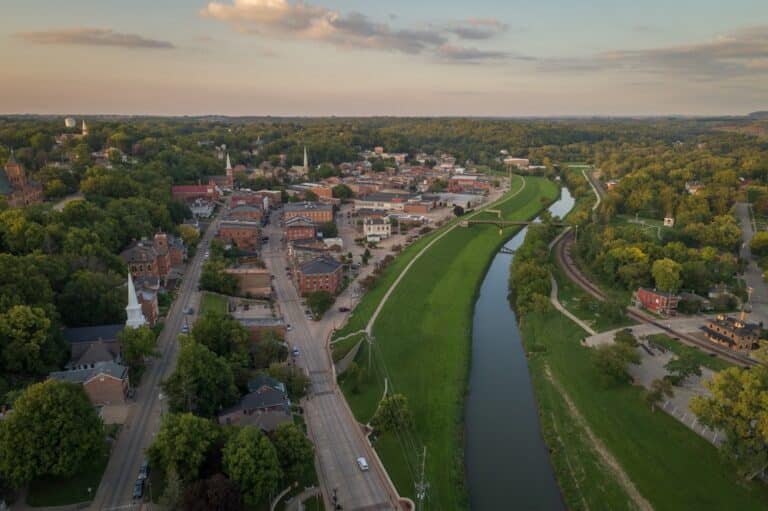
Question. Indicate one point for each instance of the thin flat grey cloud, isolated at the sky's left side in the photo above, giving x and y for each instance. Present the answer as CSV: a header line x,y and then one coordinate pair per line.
x,y
92,37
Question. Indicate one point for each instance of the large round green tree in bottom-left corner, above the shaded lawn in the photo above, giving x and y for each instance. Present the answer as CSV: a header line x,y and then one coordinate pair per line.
x,y
53,431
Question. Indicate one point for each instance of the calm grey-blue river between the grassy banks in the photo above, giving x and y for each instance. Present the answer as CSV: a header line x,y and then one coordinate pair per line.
x,y
507,462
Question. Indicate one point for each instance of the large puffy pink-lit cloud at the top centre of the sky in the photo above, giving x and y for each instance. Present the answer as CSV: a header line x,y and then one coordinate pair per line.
x,y
353,30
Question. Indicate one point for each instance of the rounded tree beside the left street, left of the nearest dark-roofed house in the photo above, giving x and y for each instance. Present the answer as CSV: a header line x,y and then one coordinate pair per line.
x,y
182,444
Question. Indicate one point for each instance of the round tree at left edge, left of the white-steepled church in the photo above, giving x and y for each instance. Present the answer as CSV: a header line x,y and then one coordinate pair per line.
x,y
28,344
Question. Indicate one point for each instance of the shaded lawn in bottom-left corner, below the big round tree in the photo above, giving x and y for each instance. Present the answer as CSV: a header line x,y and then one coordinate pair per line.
x,y
62,491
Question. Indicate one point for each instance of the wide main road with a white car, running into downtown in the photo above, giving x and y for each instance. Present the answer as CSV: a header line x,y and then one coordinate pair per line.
x,y
337,436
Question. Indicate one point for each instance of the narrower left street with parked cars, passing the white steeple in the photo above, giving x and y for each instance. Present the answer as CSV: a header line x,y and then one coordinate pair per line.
x,y
143,421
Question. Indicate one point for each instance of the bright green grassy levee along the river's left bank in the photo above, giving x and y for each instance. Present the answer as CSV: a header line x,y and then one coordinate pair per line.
x,y
423,344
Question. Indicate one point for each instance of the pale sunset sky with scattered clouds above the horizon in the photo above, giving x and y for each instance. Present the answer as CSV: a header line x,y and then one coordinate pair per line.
x,y
400,58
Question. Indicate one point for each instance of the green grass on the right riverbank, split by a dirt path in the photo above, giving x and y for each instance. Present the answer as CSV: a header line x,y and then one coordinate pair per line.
x,y
672,467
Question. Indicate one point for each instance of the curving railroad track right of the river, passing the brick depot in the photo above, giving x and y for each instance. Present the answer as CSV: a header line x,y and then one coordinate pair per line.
x,y
563,255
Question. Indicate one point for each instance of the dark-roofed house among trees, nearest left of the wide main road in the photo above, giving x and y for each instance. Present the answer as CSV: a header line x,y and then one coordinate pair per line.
x,y
265,408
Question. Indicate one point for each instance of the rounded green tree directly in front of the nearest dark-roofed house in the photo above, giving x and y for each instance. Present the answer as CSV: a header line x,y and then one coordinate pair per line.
x,y
251,461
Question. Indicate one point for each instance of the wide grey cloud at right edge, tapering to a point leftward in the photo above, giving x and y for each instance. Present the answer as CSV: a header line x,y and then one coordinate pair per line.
x,y
741,53
